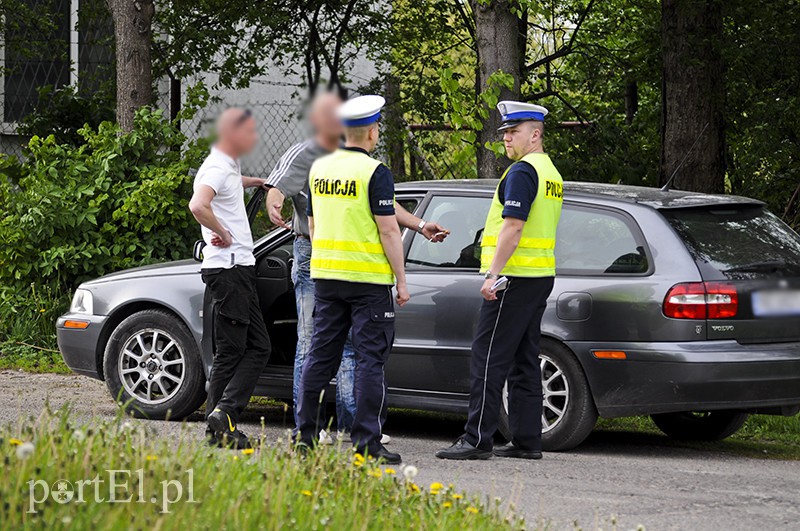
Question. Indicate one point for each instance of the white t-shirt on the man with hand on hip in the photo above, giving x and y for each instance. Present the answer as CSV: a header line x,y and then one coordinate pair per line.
x,y
223,175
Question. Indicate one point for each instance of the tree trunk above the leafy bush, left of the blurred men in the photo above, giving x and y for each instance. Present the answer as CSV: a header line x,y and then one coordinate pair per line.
x,y
132,34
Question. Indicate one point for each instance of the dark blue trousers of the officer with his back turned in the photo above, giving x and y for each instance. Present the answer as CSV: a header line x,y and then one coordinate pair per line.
x,y
369,309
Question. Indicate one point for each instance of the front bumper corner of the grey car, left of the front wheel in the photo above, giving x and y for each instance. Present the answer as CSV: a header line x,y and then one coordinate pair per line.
x,y
79,346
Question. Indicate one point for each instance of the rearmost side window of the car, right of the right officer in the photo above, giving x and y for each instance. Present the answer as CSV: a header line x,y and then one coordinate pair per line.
x,y
594,241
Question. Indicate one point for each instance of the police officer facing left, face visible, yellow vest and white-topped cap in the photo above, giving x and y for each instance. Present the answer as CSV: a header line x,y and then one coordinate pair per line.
x,y
519,266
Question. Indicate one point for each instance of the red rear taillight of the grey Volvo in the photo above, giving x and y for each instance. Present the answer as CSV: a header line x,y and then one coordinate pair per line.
x,y
701,300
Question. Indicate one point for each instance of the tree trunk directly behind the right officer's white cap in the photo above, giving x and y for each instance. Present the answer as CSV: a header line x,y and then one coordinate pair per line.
x,y
497,36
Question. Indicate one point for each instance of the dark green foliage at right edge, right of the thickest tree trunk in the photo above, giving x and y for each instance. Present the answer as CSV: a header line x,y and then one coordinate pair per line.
x,y
763,119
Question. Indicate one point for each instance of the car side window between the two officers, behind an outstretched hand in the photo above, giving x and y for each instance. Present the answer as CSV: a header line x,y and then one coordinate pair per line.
x,y
464,217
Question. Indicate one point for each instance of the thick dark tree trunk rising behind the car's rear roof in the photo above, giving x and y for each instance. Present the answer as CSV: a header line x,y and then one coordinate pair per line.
x,y
693,95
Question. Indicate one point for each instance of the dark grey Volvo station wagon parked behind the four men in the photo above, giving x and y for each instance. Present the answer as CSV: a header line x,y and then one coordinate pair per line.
x,y
678,305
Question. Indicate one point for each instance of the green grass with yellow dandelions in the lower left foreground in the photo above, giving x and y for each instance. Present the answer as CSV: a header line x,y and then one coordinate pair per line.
x,y
270,488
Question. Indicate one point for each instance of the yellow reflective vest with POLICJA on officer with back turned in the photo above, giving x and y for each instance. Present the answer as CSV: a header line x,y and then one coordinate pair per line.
x,y
346,244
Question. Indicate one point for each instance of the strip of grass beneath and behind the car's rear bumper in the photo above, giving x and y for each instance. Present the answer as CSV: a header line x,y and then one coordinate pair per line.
x,y
762,436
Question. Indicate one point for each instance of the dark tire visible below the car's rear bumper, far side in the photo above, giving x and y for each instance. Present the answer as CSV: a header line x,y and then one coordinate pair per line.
x,y
700,426
